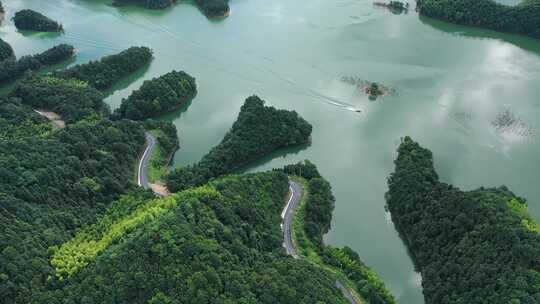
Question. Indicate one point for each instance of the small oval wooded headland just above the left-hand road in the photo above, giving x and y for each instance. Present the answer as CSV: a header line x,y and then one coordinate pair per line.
x,y
158,96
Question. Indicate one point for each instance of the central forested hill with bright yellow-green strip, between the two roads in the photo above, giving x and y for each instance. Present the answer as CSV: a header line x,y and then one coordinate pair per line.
x,y
220,243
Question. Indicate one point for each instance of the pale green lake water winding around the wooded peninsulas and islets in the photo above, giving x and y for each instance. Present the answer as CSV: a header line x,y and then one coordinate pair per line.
x,y
469,95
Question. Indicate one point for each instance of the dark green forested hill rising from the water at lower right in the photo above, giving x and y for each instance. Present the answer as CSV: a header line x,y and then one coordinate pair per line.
x,y
471,247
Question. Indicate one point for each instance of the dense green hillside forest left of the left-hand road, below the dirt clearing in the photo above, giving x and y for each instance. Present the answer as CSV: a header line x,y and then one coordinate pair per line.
x,y
51,183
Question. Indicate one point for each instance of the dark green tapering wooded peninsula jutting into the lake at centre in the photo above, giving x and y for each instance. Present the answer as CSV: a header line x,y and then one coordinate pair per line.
x,y
257,131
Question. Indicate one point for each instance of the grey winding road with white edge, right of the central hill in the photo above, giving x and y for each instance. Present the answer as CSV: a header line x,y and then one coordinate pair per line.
x,y
296,191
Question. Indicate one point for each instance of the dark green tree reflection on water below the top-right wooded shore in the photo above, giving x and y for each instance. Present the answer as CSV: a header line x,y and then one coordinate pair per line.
x,y
526,43
